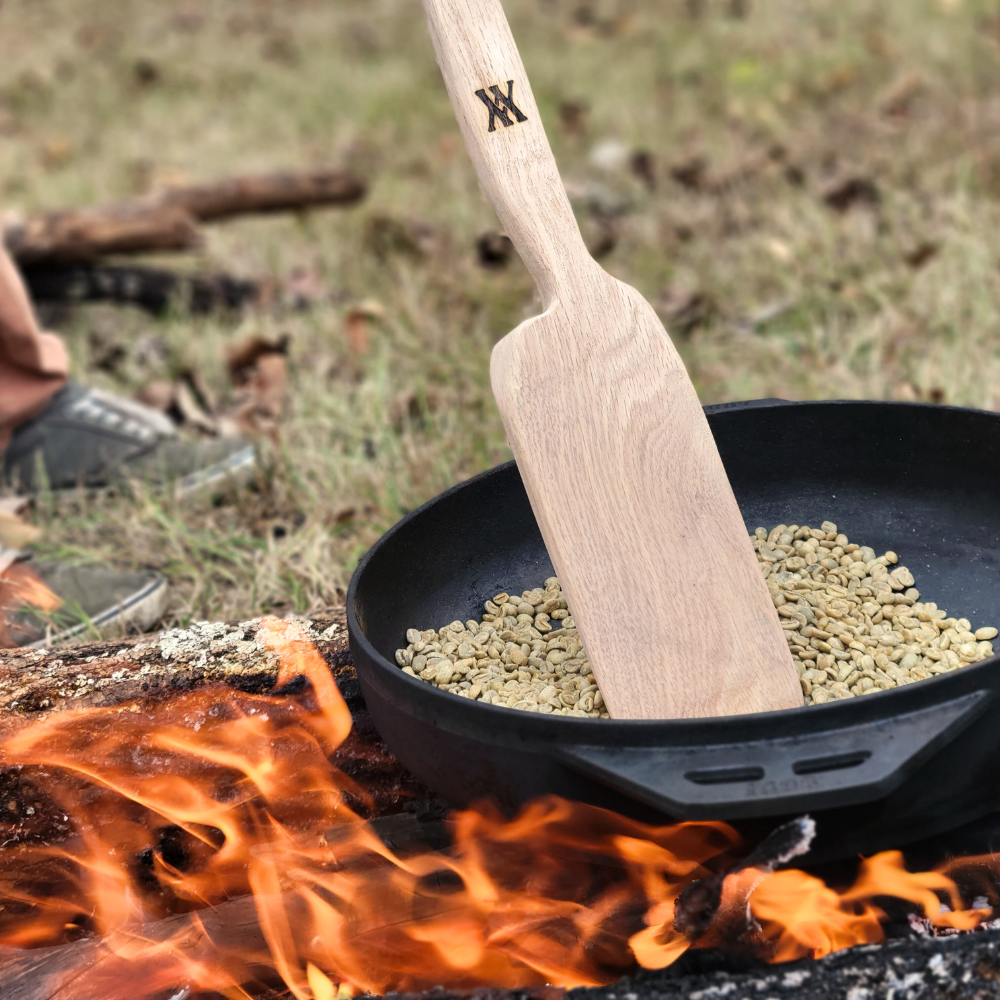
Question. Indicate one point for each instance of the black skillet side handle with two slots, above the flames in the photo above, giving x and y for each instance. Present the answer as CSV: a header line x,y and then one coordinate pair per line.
x,y
820,770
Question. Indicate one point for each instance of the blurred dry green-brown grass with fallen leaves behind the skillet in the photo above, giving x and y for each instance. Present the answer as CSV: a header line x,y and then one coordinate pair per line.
x,y
767,290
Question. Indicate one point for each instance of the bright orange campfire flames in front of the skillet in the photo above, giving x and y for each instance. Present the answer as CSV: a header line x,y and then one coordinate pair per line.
x,y
215,847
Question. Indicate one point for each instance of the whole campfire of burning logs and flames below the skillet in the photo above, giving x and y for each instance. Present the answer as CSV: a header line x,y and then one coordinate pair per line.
x,y
197,826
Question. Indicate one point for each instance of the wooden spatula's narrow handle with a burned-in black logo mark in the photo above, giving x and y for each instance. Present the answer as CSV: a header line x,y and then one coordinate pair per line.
x,y
496,111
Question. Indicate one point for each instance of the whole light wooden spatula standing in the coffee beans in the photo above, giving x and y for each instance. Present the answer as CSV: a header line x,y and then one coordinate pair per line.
x,y
611,442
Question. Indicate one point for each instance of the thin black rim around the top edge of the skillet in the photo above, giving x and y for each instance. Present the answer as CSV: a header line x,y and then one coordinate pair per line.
x,y
499,724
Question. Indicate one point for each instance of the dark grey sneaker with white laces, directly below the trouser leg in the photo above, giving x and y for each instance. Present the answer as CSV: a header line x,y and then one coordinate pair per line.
x,y
85,437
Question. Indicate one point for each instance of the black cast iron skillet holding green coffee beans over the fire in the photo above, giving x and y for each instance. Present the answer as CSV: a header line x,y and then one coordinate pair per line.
x,y
875,772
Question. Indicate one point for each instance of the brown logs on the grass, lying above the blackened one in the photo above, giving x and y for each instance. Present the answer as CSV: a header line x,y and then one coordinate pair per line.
x,y
169,221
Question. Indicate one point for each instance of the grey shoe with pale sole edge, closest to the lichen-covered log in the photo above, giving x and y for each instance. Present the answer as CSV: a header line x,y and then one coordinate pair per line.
x,y
43,602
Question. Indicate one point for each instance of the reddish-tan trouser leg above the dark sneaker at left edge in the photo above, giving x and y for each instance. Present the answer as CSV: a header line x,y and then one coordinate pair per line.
x,y
33,364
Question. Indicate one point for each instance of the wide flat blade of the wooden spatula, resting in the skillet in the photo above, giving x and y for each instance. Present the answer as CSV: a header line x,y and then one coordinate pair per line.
x,y
636,511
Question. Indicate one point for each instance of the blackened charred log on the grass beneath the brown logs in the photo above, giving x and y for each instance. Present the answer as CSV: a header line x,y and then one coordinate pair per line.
x,y
152,289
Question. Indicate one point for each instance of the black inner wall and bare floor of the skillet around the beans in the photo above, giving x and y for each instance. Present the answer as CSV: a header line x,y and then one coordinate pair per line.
x,y
921,480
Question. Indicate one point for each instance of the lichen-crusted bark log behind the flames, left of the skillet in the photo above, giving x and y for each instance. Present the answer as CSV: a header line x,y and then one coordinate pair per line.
x,y
130,673
